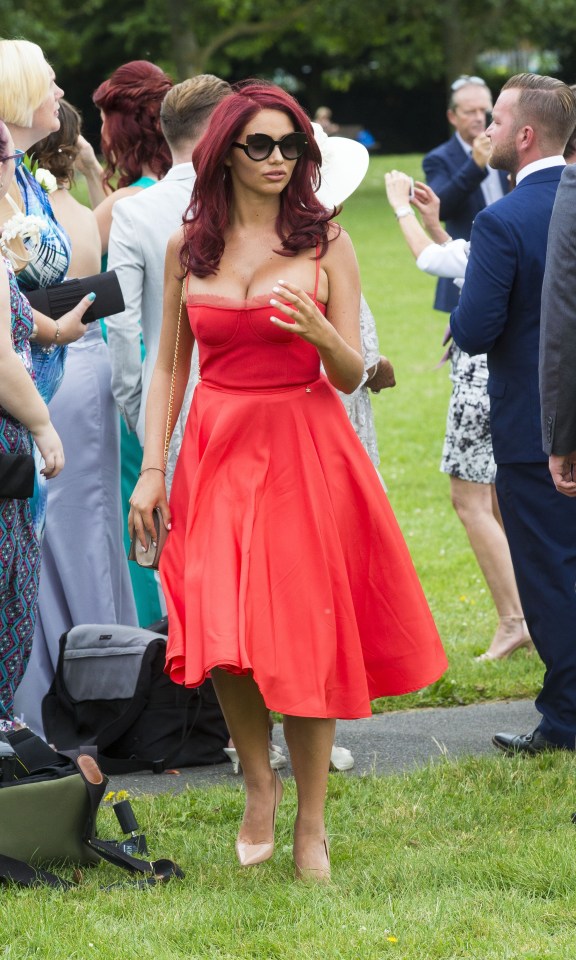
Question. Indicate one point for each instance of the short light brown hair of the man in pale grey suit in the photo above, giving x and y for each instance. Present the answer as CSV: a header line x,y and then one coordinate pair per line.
x,y
187,107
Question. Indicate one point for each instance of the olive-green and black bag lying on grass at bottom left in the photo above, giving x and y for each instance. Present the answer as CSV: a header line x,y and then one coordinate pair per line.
x,y
48,809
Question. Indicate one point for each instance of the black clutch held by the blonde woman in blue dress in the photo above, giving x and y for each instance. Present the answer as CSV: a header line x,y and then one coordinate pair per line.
x,y
57,300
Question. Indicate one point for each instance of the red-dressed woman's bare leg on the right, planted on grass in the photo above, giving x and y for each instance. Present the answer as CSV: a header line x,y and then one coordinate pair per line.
x,y
310,743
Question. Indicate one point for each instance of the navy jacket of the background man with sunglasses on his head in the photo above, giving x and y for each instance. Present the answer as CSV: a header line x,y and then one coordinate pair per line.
x,y
457,180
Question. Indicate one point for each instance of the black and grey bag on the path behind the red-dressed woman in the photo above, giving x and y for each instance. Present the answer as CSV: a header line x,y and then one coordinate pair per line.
x,y
110,691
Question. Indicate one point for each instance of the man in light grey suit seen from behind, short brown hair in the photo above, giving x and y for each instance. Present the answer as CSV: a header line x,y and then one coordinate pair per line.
x,y
141,227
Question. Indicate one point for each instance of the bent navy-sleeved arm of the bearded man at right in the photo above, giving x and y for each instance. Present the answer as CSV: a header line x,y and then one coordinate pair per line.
x,y
482,313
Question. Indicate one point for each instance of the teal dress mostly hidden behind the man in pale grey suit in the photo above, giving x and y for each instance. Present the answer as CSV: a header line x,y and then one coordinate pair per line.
x,y
144,582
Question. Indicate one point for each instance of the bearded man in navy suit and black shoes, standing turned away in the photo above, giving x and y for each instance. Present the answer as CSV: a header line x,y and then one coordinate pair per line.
x,y
499,314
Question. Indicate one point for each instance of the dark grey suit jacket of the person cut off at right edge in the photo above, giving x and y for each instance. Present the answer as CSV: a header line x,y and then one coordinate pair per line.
x,y
558,324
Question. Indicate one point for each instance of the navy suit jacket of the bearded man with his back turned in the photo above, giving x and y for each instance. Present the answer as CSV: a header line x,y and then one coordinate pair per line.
x,y
499,310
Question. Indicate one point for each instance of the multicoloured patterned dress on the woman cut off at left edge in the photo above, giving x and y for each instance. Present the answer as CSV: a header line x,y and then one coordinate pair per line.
x,y
19,549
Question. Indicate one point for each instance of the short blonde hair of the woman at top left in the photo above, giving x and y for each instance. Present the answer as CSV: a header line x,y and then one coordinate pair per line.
x,y
24,81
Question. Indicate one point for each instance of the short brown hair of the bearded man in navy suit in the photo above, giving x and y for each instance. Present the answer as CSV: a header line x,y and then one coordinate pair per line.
x,y
548,104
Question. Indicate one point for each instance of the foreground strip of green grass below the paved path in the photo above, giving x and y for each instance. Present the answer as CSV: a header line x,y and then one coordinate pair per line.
x,y
467,860
